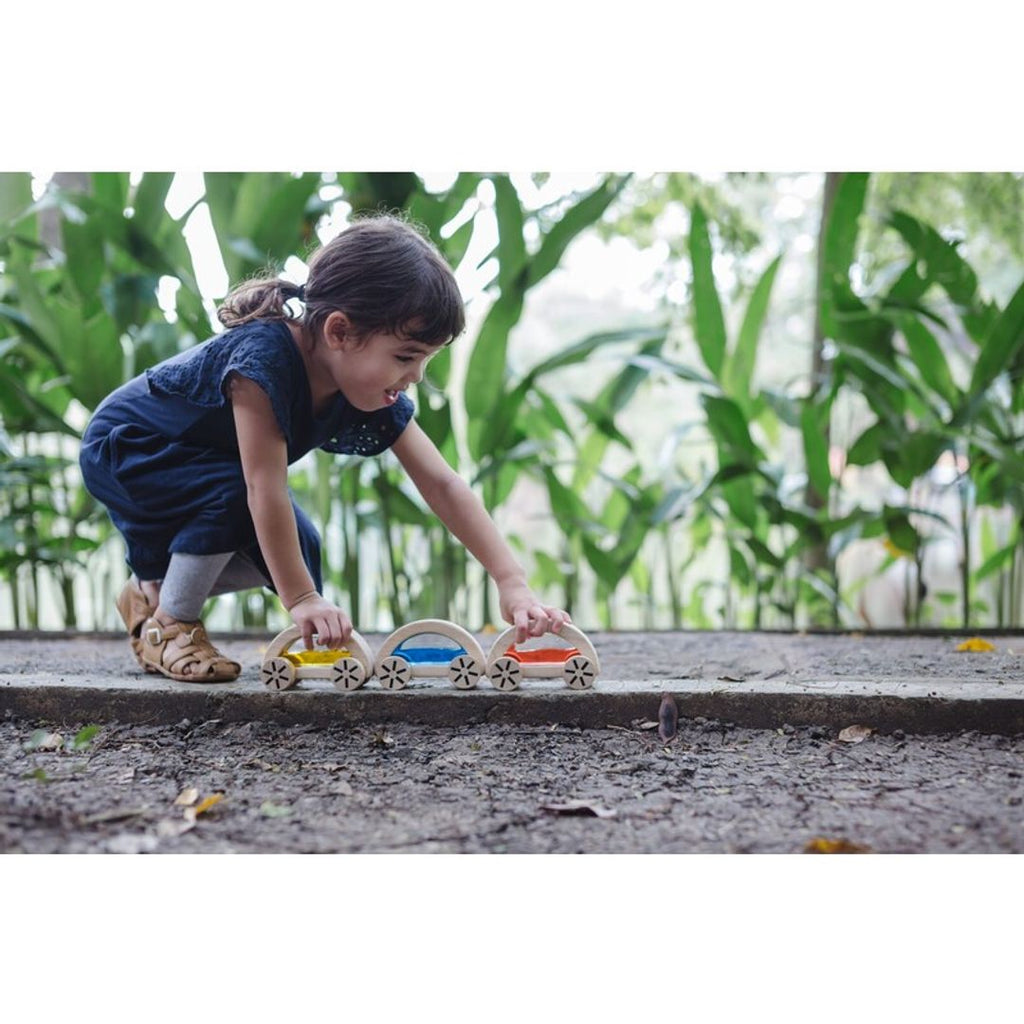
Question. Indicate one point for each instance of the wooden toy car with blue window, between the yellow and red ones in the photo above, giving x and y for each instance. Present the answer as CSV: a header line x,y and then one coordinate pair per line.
x,y
431,648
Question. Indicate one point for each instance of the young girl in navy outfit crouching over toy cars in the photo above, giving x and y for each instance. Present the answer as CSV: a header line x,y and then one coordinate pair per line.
x,y
192,457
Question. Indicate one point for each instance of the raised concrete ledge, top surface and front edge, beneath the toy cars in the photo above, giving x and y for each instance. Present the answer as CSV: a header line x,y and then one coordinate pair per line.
x,y
918,685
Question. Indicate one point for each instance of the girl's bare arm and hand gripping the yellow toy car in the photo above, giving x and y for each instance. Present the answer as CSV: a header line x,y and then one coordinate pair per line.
x,y
265,465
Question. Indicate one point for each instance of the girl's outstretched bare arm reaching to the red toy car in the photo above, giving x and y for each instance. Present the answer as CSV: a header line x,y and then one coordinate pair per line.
x,y
464,515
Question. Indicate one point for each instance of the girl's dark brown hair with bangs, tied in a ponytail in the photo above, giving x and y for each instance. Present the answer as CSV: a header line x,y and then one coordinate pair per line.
x,y
381,273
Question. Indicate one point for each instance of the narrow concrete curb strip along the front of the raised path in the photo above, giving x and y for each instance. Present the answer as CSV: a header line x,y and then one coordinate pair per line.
x,y
915,706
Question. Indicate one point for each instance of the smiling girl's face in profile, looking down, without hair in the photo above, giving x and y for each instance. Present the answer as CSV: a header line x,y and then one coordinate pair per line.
x,y
373,372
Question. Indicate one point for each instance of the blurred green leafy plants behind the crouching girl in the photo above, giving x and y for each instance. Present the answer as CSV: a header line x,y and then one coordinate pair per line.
x,y
931,360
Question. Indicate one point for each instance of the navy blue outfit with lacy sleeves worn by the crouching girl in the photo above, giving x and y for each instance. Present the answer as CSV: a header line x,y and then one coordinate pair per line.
x,y
161,452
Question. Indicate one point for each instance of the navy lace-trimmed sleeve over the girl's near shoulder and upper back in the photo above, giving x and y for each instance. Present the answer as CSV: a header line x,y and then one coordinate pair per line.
x,y
259,352
